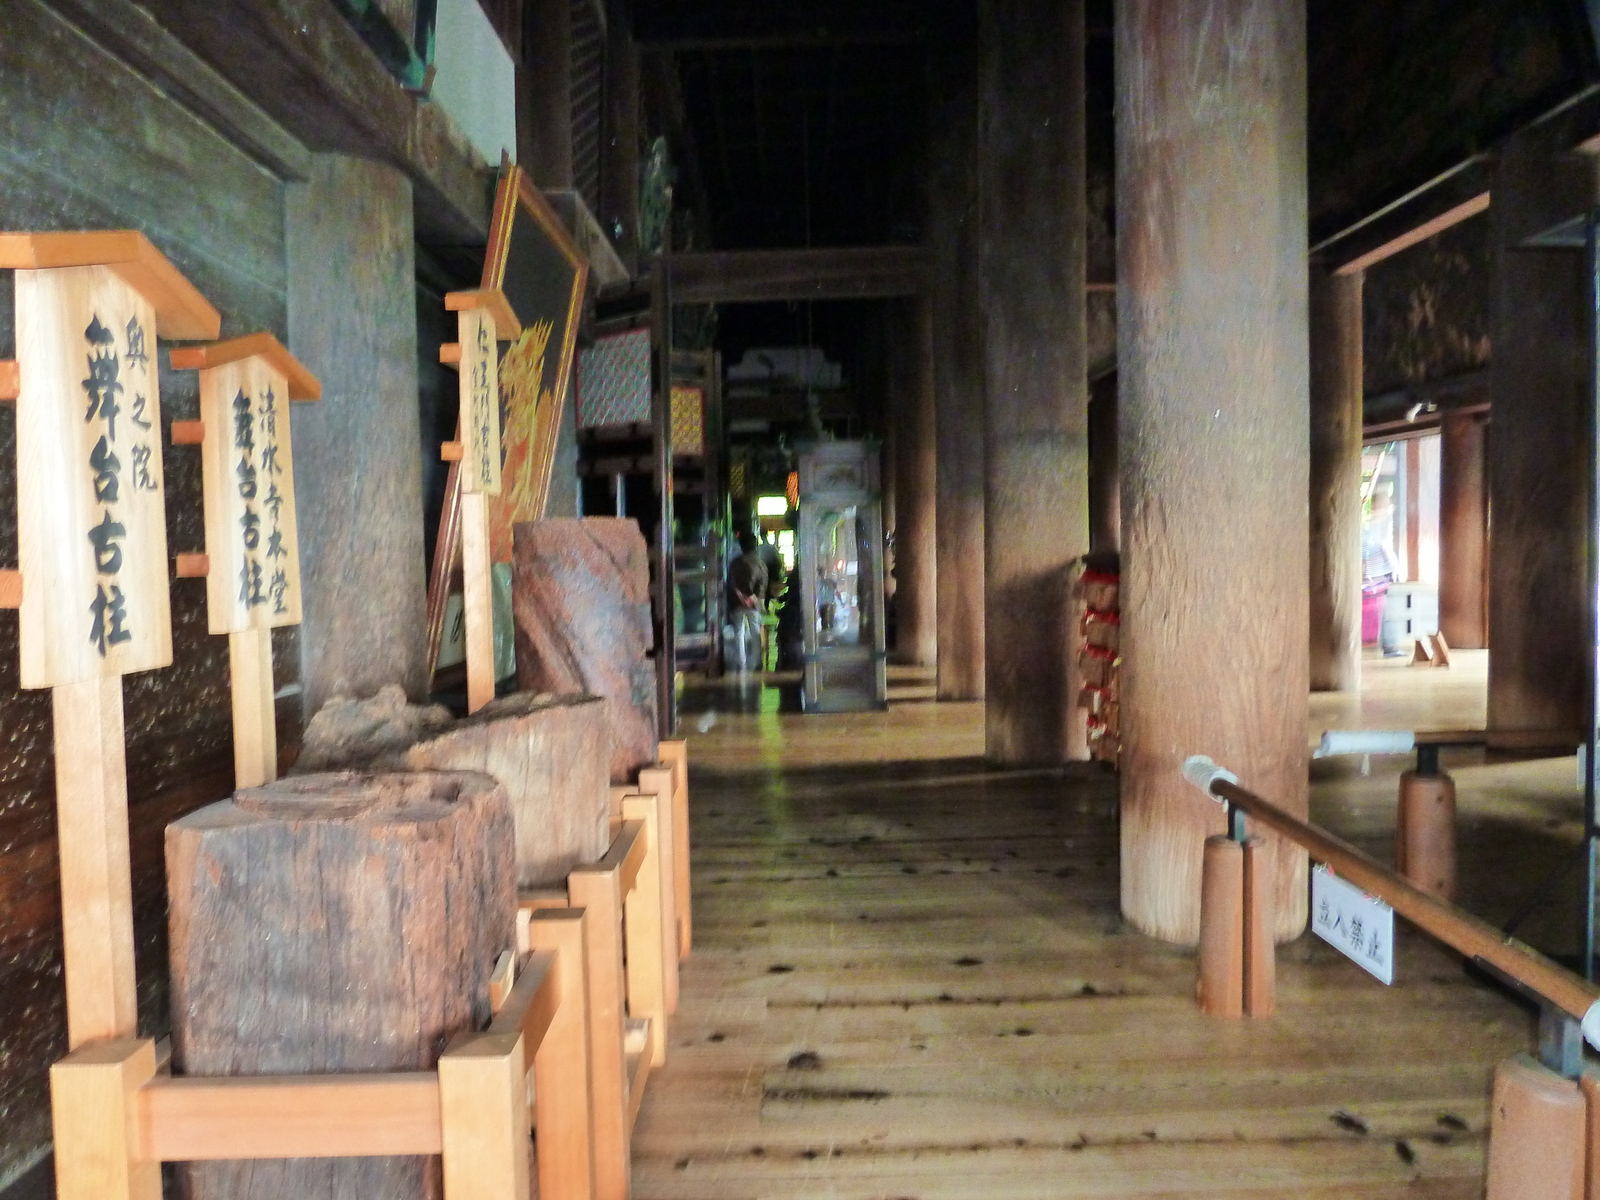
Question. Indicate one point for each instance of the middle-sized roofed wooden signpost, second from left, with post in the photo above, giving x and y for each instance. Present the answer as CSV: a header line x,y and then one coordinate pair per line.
x,y
252,561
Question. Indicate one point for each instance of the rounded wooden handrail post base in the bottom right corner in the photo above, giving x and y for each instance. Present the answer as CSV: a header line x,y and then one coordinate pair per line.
x,y
1538,1134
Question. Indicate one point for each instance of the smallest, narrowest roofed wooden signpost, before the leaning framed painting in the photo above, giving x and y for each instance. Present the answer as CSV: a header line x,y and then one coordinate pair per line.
x,y
486,319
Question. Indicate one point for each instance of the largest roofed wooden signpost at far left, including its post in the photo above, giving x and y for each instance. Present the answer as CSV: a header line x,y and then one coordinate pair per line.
x,y
92,550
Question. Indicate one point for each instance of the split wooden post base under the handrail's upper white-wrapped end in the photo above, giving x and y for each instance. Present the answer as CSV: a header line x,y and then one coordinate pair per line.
x,y
1238,959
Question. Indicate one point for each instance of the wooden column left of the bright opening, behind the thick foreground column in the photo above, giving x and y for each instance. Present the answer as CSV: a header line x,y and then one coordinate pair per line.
x,y
1335,481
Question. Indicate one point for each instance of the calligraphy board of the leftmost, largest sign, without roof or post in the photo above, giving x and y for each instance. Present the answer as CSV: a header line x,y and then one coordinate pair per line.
x,y
92,518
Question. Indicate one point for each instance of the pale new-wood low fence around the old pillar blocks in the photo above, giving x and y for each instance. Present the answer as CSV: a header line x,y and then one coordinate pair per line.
x,y
118,1119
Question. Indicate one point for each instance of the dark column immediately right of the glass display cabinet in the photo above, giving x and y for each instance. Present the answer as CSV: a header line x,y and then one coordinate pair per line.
x,y
916,460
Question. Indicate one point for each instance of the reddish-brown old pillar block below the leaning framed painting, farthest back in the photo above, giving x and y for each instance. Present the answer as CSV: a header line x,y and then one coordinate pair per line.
x,y
582,602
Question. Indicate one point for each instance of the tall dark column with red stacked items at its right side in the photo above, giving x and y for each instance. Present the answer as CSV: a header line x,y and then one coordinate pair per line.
x,y
1033,214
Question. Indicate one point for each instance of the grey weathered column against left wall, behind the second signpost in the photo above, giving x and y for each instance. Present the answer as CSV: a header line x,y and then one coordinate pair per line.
x,y
359,473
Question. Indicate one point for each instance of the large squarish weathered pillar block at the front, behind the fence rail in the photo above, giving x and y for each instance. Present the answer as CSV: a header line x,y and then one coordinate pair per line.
x,y
335,924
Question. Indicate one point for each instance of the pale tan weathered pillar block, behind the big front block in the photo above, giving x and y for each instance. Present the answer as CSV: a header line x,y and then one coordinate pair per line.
x,y
553,756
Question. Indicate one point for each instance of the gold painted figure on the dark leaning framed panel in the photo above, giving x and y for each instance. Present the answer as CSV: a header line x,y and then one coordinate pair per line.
x,y
524,401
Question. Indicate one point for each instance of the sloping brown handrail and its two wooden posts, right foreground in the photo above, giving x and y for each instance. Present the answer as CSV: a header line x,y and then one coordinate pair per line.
x,y
1545,1116
